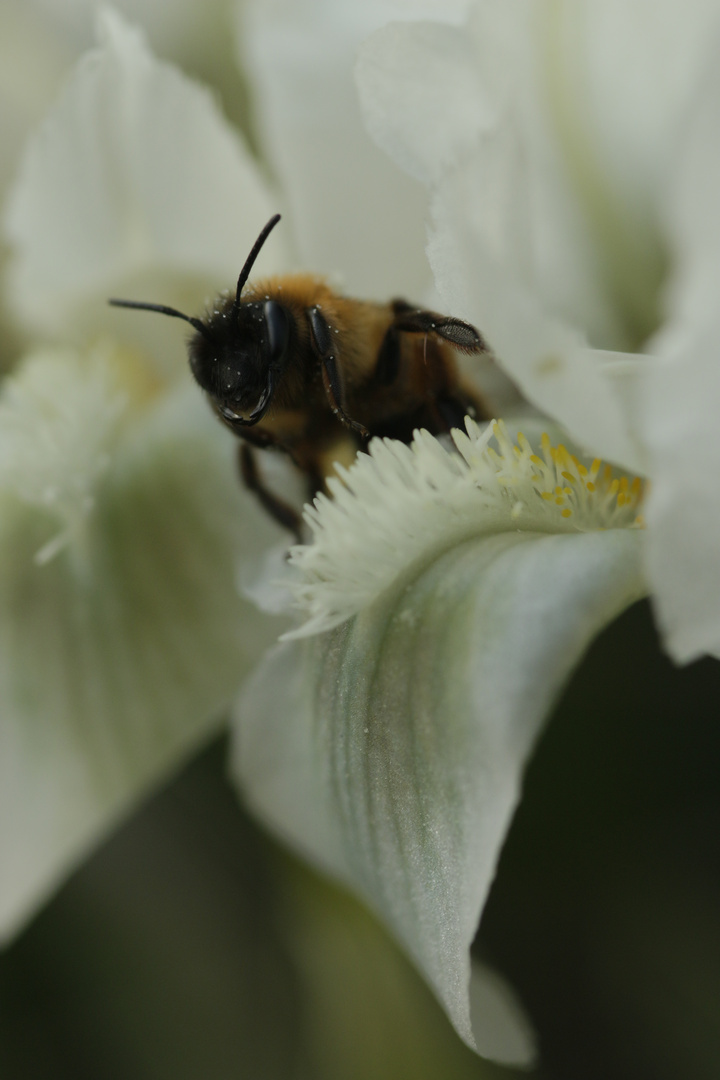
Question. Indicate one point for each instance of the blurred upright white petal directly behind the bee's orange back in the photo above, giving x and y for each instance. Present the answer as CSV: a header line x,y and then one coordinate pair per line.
x,y
355,214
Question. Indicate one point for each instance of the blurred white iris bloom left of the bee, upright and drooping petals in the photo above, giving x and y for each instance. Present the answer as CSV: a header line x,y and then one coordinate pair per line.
x,y
123,521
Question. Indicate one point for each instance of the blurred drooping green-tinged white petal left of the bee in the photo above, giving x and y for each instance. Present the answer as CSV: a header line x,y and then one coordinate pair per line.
x,y
119,653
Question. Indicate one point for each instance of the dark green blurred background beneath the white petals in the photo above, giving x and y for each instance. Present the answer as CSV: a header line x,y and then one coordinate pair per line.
x,y
193,947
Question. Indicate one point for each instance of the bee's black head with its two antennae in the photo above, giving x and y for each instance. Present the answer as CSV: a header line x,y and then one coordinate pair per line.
x,y
239,354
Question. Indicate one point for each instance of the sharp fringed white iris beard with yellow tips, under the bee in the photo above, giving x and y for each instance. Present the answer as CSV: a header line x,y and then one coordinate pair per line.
x,y
399,507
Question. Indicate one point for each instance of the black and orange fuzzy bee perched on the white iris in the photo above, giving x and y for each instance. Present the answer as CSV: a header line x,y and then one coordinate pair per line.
x,y
290,363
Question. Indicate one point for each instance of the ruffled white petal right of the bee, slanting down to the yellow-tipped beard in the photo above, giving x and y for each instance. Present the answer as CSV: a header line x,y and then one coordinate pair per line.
x,y
509,246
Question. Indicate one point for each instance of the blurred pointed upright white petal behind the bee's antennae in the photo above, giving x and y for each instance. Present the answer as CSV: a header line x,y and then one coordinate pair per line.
x,y
134,181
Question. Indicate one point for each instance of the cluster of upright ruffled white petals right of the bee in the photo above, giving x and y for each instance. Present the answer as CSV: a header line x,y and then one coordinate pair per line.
x,y
574,159
